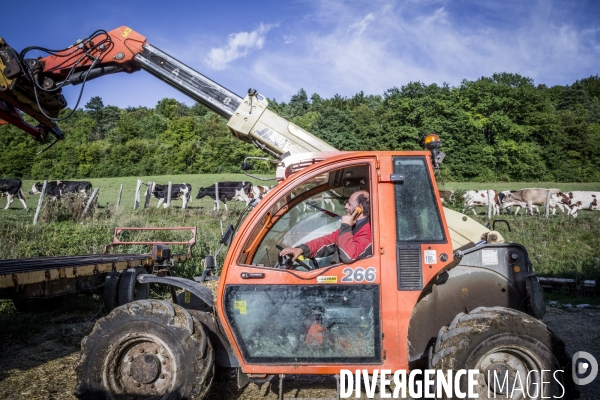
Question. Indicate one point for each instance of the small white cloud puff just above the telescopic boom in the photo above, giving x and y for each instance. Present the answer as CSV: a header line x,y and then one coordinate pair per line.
x,y
239,45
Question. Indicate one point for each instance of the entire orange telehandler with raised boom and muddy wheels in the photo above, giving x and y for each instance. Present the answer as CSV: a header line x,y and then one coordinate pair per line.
x,y
439,290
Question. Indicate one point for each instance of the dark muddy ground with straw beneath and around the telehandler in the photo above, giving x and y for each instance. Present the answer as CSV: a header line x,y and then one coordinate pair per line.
x,y
40,350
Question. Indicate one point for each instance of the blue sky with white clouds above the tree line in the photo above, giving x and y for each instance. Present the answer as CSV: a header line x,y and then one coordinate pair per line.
x,y
325,46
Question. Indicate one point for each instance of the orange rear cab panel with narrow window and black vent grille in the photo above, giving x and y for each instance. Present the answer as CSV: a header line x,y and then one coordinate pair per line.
x,y
415,242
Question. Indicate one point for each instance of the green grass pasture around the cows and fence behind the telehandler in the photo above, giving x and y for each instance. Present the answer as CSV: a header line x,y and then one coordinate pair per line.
x,y
558,246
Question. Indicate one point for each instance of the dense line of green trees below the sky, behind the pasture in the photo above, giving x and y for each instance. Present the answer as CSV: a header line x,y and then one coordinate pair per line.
x,y
498,128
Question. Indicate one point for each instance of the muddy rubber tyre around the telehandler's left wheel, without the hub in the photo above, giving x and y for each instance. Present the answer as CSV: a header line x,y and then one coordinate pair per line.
x,y
134,318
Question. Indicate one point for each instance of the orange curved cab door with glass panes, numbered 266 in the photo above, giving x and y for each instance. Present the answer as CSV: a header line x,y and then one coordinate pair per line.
x,y
308,318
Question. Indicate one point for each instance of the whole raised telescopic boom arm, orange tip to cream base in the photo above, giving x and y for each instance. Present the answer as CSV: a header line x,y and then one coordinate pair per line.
x,y
33,86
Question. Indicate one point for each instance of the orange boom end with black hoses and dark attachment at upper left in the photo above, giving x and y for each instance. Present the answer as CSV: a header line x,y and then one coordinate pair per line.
x,y
33,86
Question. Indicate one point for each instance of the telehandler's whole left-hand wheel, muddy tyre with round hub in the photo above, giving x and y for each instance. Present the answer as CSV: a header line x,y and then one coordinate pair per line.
x,y
147,349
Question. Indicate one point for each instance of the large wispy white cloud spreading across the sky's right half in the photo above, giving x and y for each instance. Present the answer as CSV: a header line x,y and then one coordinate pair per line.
x,y
345,47
